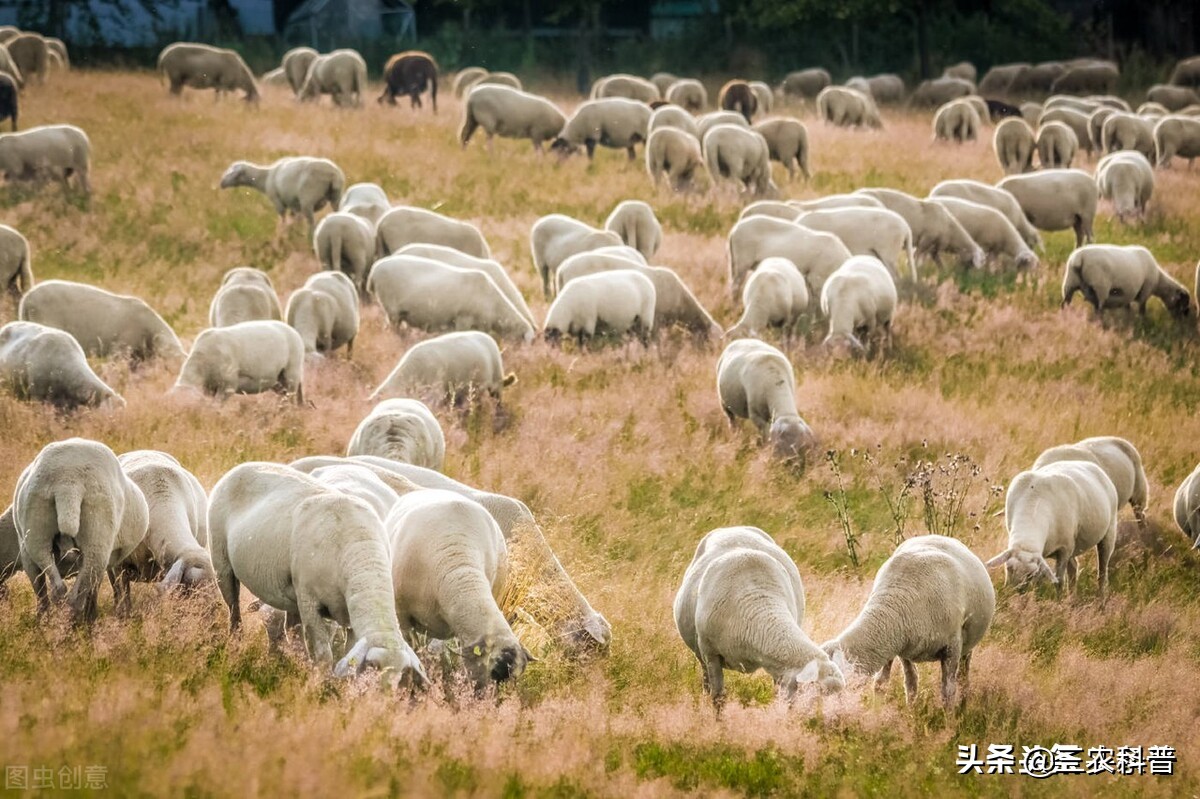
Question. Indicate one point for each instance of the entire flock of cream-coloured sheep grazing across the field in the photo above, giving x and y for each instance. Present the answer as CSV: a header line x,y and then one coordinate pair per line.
x,y
383,548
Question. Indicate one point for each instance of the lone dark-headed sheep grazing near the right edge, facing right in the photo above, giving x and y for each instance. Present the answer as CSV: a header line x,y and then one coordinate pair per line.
x,y
1112,277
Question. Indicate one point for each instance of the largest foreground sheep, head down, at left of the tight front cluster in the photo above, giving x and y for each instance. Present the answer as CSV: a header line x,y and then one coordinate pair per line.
x,y
311,551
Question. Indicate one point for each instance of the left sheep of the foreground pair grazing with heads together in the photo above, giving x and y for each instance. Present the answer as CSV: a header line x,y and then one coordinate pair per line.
x,y
741,606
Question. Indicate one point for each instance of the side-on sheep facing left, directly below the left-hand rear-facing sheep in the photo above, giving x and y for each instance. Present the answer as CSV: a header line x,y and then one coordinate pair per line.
x,y
247,358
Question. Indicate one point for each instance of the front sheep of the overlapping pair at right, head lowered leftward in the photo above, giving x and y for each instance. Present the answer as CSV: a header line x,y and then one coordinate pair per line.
x,y
1059,510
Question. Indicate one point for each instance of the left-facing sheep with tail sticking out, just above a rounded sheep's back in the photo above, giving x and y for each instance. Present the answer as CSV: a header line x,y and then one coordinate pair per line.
x,y
454,364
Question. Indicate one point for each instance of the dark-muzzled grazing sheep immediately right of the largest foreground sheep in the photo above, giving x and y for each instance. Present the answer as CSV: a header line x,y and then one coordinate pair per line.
x,y
451,566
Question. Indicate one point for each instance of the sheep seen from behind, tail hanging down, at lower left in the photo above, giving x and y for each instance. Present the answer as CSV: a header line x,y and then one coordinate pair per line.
x,y
75,495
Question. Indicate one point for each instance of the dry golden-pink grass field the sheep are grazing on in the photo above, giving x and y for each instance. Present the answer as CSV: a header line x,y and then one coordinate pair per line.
x,y
627,460
